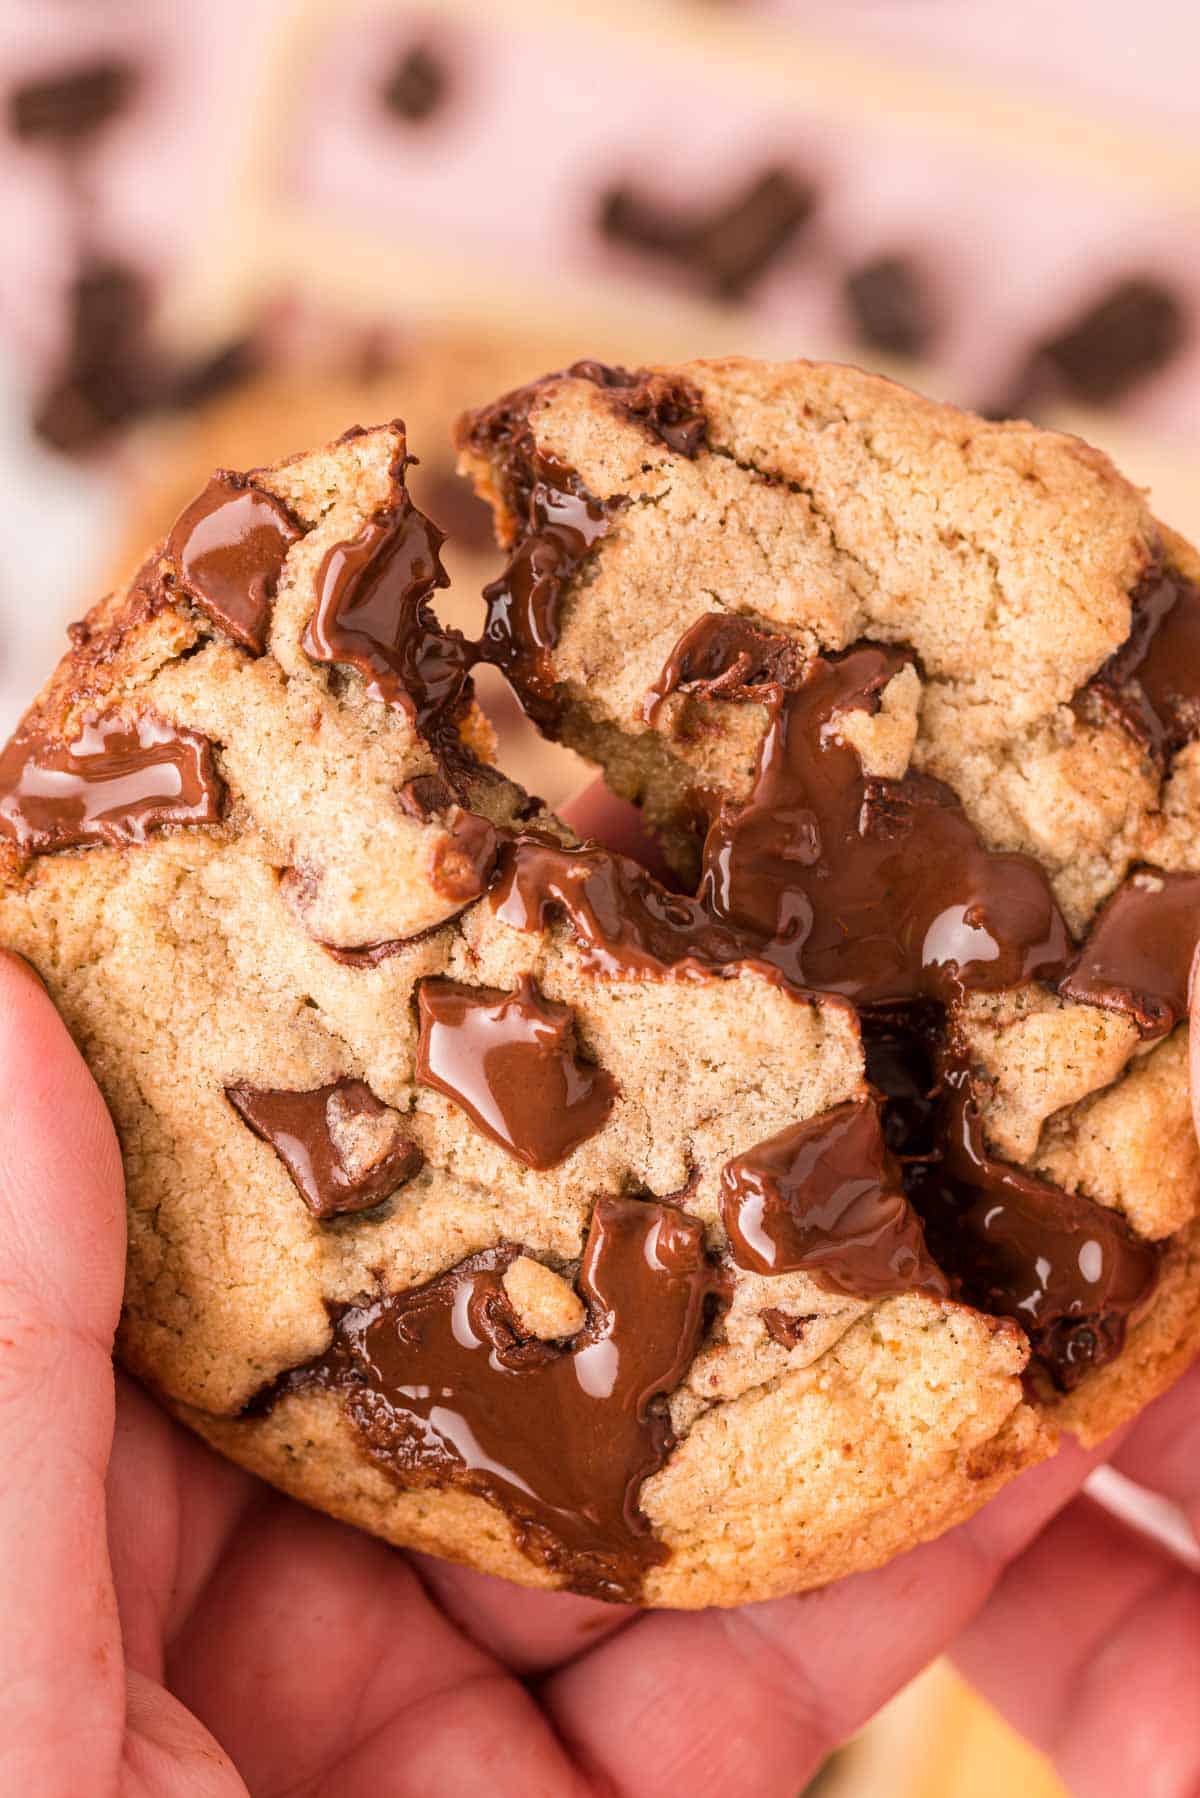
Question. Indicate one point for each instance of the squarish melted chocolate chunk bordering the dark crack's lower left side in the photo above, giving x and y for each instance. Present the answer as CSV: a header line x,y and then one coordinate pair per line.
x,y
825,1198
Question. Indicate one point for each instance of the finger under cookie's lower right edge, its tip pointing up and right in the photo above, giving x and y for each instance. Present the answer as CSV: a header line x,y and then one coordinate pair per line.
x,y
755,1700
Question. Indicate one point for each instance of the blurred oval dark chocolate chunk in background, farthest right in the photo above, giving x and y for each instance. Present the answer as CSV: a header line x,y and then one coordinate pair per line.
x,y
1127,335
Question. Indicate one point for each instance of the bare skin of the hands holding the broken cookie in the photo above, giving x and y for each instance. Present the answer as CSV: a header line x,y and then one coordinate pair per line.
x,y
175,1628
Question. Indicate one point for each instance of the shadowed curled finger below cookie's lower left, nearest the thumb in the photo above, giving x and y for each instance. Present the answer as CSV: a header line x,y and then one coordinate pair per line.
x,y
348,1680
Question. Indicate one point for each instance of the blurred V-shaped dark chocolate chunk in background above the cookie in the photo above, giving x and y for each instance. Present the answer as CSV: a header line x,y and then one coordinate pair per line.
x,y
728,247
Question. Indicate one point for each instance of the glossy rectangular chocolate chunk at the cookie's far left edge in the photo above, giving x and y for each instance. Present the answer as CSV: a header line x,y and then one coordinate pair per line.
x,y
114,785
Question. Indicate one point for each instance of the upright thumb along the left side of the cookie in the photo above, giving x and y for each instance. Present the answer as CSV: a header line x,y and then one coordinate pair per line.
x,y
62,1251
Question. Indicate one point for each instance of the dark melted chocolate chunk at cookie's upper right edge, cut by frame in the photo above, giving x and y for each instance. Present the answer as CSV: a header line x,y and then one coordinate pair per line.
x,y
1154,679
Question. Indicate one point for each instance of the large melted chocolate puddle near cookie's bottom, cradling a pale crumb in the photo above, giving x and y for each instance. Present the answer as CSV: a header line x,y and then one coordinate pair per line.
x,y
447,1391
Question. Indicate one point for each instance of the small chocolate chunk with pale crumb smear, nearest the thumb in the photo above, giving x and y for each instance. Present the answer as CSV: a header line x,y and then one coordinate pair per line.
x,y
341,1146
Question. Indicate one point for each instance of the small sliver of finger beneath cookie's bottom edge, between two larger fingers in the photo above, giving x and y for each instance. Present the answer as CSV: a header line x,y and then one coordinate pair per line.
x,y
530,1632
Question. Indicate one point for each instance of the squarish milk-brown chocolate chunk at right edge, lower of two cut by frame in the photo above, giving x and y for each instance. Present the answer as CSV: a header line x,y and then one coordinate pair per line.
x,y
1138,954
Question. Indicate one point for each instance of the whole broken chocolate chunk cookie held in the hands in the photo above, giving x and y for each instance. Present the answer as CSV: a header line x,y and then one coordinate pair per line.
x,y
676,1247
